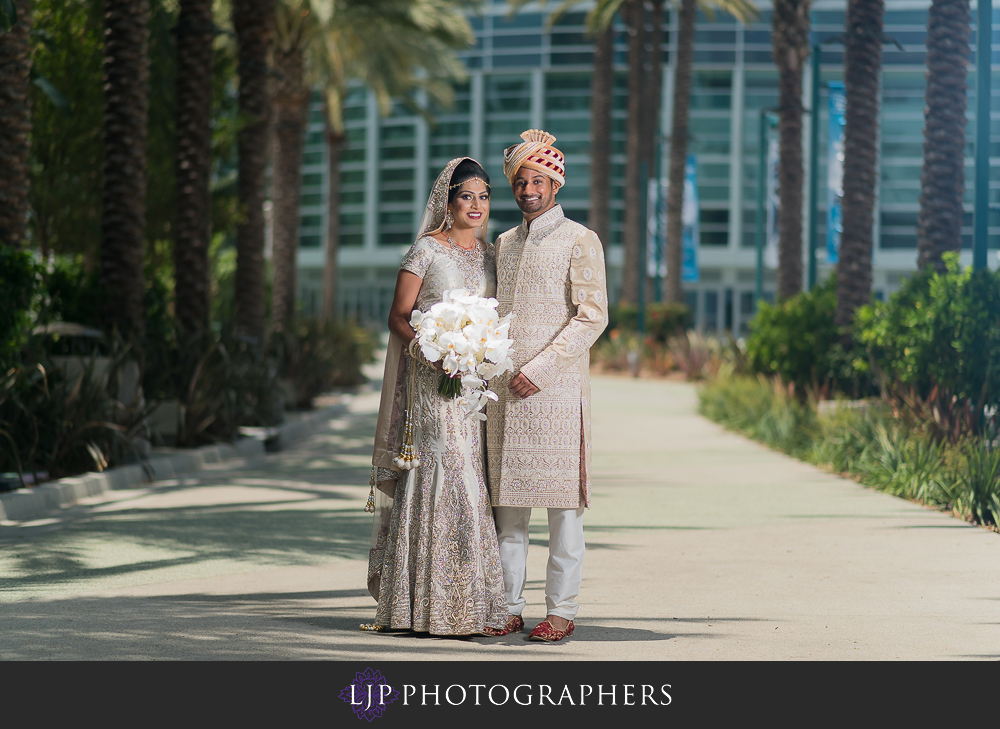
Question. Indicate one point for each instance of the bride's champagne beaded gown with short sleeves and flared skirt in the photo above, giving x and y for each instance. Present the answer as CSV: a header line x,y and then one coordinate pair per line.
x,y
434,564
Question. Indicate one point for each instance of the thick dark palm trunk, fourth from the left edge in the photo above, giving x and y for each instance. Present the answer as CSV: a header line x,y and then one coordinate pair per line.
x,y
254,24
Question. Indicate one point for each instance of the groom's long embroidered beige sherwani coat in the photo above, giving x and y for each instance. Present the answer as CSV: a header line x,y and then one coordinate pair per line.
x,y
552,277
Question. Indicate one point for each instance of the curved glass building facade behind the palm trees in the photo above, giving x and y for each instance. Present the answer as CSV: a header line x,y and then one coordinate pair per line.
x,y
523,74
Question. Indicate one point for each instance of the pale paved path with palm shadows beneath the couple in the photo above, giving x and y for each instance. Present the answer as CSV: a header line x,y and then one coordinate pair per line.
x,y
701,545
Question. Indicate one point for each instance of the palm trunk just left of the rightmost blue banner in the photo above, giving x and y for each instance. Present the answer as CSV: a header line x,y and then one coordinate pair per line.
x,y
790,25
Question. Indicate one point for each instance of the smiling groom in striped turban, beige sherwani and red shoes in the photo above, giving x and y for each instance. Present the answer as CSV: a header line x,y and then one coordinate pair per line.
x,y
550,273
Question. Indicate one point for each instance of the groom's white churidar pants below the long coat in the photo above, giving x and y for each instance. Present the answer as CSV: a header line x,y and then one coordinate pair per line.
x,y
564,572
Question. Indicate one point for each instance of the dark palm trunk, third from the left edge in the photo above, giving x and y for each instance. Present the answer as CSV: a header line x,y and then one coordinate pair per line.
x,y
193,224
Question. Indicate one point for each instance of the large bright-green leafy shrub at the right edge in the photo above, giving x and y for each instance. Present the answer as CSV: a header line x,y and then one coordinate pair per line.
x,y
938,339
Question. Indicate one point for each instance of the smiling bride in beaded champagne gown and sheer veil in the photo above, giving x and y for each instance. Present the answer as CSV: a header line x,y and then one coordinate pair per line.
x,y
434,565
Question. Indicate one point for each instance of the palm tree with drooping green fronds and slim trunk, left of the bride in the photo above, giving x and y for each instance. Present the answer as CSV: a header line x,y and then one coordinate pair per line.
x,y
395,49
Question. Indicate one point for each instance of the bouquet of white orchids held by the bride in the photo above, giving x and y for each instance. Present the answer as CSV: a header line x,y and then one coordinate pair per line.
x,y
466,335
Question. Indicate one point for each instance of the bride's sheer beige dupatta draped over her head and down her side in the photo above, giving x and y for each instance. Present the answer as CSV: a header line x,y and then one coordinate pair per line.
x,y
392,407
